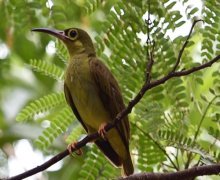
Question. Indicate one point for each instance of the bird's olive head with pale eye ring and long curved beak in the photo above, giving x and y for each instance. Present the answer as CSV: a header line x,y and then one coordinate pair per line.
x,y
76,40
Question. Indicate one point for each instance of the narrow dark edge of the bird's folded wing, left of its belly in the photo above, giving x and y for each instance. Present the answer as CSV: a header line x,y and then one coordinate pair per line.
x,y
72,105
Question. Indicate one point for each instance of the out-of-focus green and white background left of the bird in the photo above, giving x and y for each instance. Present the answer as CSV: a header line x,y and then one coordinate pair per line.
x,y
19,85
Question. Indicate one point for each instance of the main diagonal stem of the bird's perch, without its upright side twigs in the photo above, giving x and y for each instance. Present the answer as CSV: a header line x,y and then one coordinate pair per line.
x,y
118,118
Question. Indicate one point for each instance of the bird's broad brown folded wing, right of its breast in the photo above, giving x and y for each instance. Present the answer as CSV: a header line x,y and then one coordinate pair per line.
x,y
110,95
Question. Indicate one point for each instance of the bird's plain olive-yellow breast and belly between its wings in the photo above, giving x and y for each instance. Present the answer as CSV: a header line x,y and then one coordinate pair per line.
x,y
85,94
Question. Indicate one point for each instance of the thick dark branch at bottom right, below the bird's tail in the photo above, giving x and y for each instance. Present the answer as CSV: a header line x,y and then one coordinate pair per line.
x,y
180,175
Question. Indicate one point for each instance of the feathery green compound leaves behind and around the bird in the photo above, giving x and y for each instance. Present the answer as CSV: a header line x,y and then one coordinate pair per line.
x,y
179,119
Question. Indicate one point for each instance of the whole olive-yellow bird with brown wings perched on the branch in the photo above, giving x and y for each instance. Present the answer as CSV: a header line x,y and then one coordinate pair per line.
x,y
94,96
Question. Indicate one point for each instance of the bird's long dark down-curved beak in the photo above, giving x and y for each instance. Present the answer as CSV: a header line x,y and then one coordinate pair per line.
x,y
57,33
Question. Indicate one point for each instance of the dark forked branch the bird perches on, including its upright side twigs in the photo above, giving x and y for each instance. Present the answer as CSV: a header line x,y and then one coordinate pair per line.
x,y
147,86
